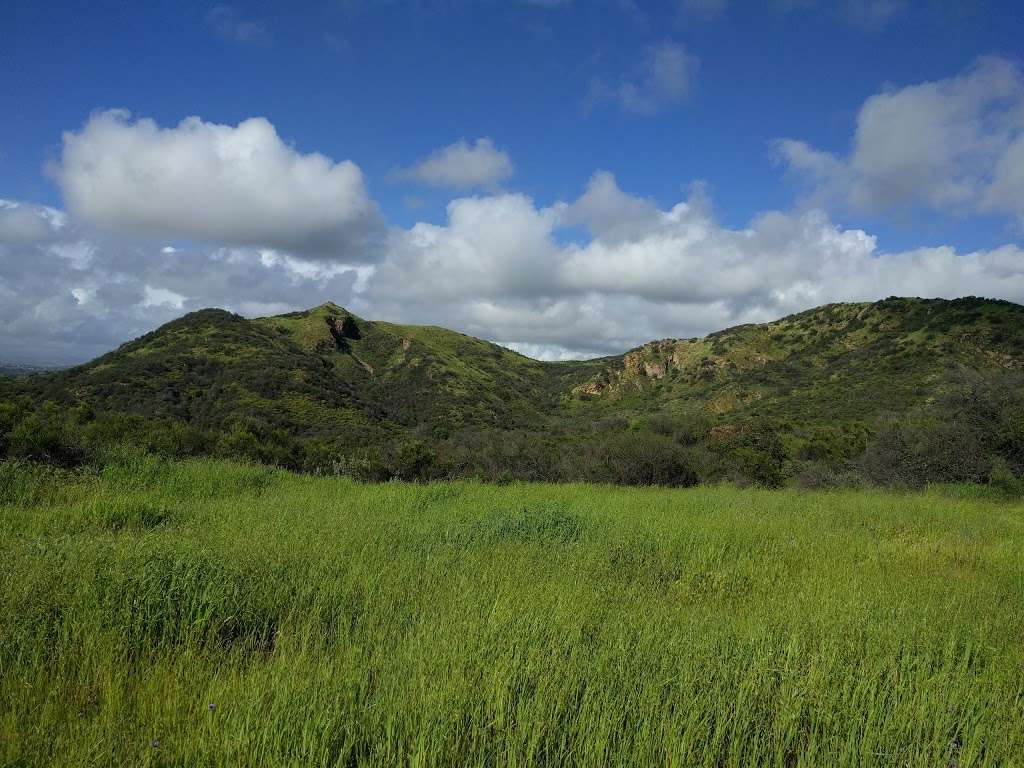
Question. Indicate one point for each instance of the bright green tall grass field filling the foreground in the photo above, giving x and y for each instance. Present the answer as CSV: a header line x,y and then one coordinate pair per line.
x,y
207,614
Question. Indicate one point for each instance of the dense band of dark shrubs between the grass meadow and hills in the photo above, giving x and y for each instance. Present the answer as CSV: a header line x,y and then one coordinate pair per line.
x,y
973,432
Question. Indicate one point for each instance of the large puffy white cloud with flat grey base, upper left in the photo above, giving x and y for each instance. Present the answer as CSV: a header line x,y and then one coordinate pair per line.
x,y
228,185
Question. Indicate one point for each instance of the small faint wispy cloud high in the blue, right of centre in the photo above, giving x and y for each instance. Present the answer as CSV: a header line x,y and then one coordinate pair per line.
x,y
663,78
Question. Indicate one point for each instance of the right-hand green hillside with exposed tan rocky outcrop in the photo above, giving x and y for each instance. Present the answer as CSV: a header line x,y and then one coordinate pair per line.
x,y
837,362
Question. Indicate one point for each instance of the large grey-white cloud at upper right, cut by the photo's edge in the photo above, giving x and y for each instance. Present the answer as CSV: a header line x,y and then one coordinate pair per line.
x,y
954,146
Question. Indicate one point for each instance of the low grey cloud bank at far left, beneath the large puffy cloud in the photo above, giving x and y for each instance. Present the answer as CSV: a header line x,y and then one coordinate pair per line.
x,y
69,294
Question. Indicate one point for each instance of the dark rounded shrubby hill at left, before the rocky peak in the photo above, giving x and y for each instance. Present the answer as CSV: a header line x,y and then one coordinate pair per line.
x,y
211,369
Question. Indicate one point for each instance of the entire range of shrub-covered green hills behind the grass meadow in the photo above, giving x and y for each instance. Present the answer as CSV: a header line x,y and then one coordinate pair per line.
x,y
326,391
